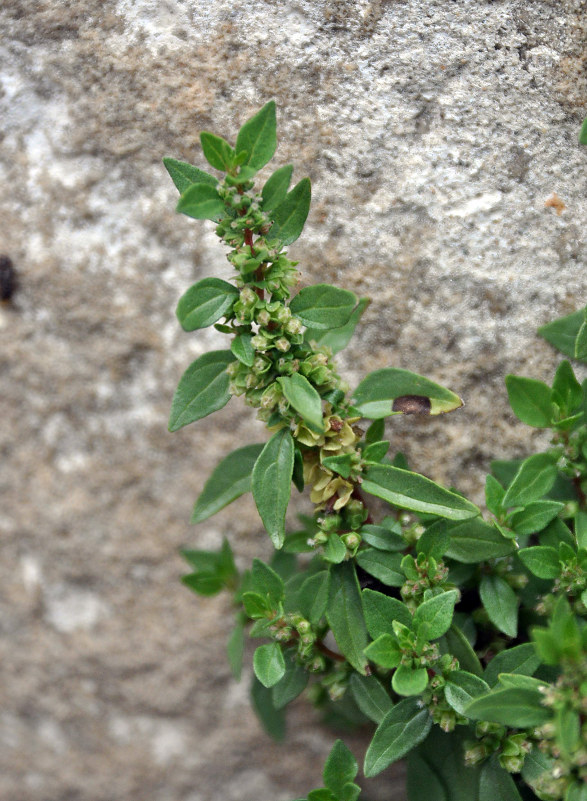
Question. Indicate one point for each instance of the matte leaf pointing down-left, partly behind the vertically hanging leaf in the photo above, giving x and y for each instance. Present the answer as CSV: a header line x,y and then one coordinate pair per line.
x,y
231,479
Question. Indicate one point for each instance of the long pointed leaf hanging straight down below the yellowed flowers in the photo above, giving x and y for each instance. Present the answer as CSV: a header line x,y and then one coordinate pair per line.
x,y
271,483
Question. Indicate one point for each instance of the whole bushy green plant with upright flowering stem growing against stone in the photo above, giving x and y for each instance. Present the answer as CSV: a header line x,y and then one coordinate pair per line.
x,y
462,638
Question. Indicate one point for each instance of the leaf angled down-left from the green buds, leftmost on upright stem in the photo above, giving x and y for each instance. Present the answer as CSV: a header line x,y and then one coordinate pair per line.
x,y
202,389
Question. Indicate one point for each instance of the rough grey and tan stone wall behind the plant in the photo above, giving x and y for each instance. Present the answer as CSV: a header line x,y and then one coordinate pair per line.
x,y
435,132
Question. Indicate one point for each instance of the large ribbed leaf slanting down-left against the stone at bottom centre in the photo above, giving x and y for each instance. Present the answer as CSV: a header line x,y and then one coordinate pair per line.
x,y
403,728
